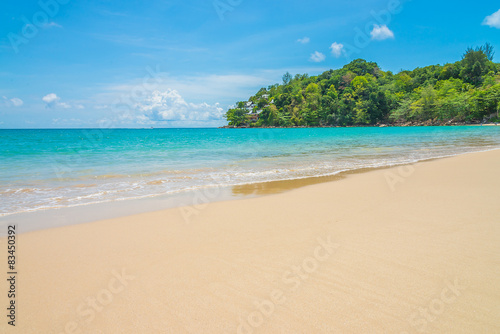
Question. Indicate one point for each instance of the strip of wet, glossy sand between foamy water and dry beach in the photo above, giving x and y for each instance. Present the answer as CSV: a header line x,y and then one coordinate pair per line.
x,y
49,218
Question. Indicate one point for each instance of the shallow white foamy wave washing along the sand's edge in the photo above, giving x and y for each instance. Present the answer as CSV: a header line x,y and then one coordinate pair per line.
x,y
33,199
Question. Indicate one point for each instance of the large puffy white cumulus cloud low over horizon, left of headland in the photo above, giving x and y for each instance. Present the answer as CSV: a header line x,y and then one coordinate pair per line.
x,y
169,105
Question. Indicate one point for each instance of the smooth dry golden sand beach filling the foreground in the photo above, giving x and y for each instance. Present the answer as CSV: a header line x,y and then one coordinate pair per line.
x,y
413,249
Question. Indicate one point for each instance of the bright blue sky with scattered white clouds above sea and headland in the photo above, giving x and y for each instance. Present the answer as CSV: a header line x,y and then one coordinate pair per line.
x,y
137,64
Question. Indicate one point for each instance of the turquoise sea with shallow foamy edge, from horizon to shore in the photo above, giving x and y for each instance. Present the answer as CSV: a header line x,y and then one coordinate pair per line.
x,y
42,169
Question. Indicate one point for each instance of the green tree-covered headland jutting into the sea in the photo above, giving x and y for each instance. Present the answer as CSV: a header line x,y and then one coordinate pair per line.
x,y
360,93
